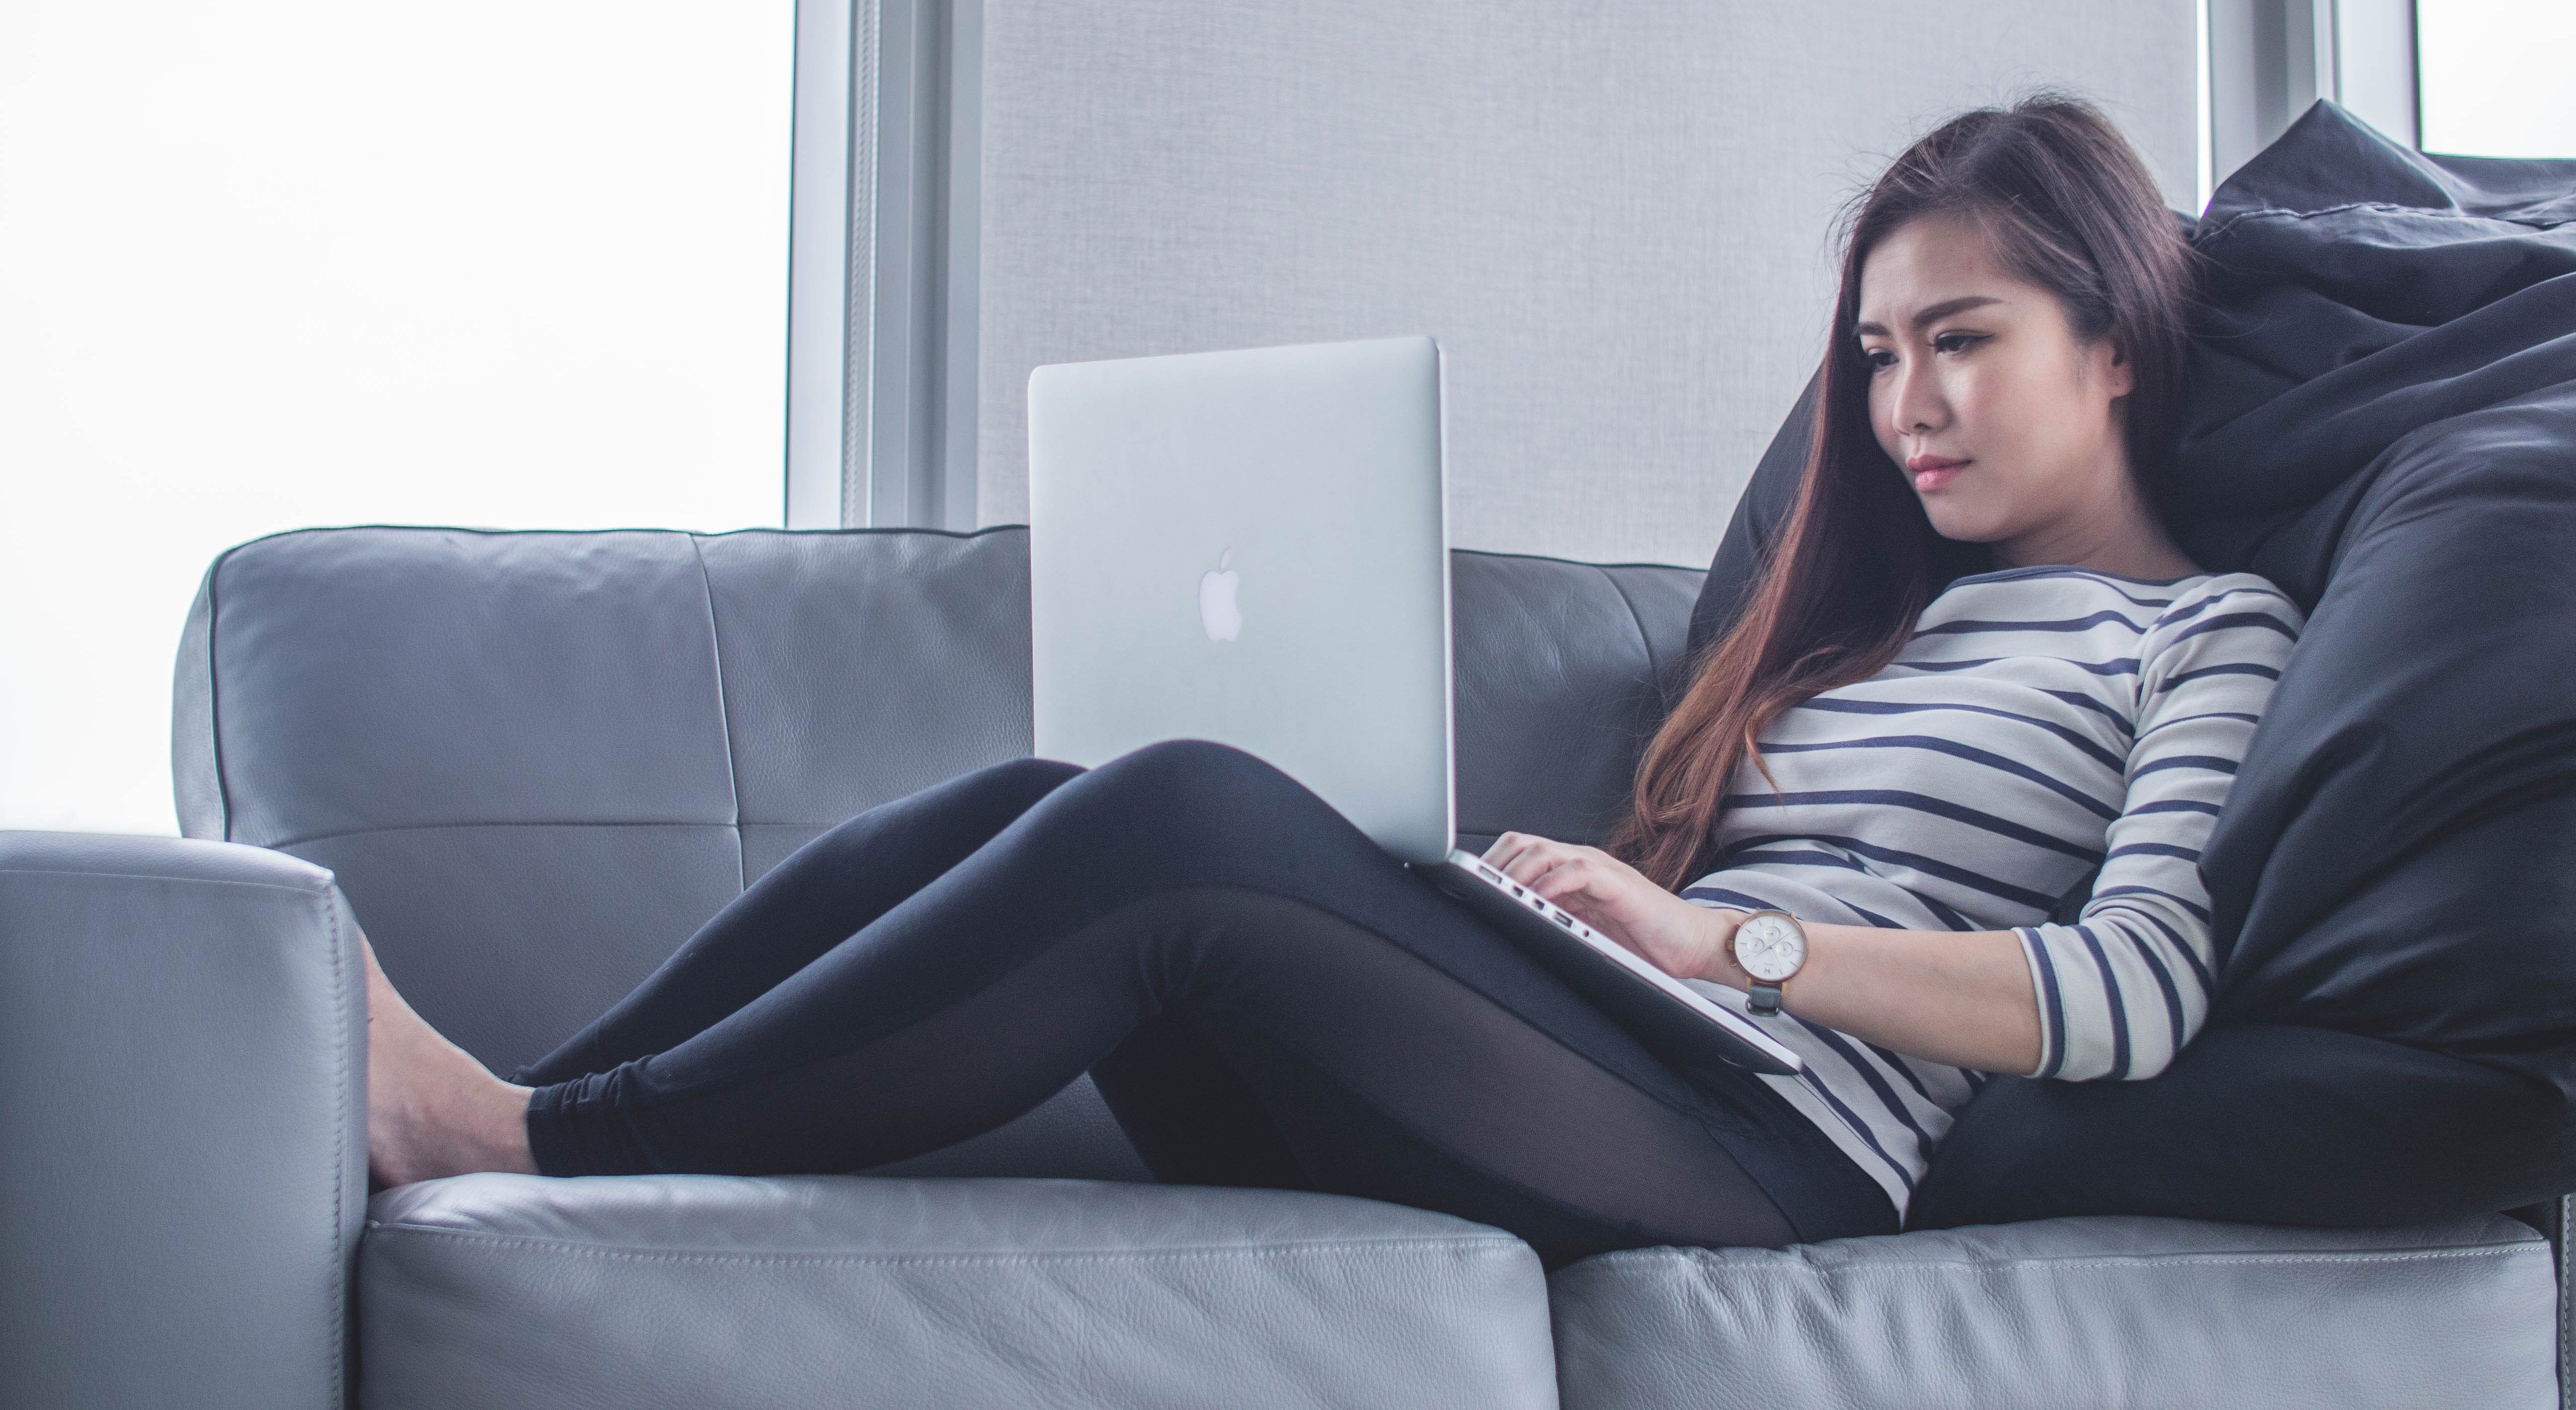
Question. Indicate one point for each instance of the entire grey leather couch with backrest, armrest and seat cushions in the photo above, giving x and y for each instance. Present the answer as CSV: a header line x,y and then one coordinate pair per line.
x,y
535,762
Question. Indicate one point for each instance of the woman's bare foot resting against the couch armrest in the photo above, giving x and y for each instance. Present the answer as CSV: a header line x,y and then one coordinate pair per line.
x,y
429,1107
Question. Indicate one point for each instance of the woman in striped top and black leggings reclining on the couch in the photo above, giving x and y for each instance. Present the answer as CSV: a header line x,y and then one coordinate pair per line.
x,y
1910,769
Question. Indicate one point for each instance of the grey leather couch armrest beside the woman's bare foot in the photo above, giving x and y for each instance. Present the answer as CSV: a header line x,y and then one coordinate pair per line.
x,y
182,1125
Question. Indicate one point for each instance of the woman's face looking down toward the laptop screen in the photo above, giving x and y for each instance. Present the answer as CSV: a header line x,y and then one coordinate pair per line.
x,y
1993,409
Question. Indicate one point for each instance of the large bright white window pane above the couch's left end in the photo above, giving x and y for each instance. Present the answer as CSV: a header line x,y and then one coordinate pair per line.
x,y
290,262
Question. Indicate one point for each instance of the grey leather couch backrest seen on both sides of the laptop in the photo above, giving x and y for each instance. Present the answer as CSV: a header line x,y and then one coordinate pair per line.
x,y
537,762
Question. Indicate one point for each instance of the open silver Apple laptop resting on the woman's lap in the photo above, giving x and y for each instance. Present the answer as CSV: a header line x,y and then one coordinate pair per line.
x,y
1253,548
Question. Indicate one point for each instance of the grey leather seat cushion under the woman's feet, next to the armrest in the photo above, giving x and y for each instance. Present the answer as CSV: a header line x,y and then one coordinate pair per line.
x,y
723,1293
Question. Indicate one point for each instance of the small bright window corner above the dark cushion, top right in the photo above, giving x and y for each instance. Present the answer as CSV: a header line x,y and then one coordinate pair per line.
x,y
2495,76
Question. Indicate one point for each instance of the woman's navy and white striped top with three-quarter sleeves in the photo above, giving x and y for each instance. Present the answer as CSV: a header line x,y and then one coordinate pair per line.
x,y
2039,726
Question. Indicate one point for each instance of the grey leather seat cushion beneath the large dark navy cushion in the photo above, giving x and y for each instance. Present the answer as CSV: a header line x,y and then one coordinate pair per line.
x,y
2103,1311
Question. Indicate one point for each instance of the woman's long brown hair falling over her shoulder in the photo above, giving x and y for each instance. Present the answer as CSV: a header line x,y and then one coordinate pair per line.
x,y
2067,205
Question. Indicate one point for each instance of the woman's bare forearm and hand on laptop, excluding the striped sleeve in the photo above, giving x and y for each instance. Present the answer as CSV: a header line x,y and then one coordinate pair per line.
x,y
1944,996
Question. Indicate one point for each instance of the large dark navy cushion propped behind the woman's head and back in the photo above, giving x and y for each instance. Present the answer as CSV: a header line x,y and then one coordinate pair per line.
x,y
2384,424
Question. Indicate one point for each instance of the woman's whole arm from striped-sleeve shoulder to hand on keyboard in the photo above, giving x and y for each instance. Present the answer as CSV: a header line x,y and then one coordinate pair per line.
x,y
2111,996
